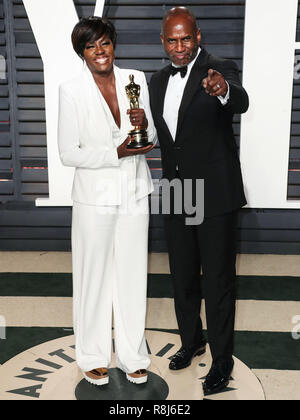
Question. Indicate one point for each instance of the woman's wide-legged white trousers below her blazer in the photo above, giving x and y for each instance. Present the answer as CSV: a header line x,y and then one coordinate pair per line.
x,y
109,254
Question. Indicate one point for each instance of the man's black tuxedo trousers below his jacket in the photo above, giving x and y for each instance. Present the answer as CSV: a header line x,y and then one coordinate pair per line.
x,y
212,246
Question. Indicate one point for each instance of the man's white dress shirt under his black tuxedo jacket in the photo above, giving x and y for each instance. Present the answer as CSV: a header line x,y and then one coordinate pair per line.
x,y
174,96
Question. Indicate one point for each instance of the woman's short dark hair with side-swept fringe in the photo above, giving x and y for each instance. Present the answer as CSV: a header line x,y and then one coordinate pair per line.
x,y
89,30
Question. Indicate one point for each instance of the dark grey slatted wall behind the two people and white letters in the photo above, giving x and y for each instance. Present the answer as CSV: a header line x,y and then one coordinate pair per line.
x,y
23,151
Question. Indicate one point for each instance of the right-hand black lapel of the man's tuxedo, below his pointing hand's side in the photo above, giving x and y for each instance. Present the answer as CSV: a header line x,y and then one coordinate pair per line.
x,y
198,72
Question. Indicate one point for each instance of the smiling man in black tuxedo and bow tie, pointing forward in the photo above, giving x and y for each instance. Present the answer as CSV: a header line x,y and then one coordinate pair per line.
x,y
193,101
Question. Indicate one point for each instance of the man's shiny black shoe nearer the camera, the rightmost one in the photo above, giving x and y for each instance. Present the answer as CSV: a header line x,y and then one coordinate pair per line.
x,y
218,377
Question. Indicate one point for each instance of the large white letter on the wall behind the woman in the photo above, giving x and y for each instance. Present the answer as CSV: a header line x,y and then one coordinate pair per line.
x,y
52,22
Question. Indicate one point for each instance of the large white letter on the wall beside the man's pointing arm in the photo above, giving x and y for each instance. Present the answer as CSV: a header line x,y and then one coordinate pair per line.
x,y
269,55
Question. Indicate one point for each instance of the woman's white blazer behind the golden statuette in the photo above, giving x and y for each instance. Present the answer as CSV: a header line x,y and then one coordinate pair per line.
x,y
85,140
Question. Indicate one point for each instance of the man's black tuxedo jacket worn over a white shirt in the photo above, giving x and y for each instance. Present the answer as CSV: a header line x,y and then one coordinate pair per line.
x,y
205,146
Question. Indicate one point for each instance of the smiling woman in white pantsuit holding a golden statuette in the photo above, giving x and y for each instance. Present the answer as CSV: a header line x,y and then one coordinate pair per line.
x,y
110,213
